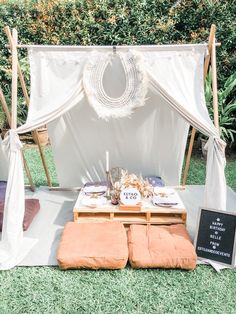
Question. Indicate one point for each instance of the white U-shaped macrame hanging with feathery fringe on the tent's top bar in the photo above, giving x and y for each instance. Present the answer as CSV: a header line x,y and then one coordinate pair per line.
x,y
136,84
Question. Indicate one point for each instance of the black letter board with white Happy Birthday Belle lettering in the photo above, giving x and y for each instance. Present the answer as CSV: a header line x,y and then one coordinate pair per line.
x,y
215,238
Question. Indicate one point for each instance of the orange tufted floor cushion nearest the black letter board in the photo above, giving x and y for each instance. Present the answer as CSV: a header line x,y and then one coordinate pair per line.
x,y
160,247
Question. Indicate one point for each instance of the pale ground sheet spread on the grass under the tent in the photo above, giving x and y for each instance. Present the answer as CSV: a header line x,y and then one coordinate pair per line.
x,y
56,210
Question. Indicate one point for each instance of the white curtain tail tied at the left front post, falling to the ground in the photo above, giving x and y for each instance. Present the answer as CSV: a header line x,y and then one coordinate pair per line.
x,y
13,247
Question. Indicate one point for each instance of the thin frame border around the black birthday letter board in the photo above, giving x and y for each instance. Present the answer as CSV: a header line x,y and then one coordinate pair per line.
x,y
201,209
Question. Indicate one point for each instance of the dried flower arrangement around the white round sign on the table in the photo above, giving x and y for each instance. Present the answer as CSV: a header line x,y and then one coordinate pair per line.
x,y
132,181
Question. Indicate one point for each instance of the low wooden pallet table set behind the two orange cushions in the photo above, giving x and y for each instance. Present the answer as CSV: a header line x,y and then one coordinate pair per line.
x,y
149,214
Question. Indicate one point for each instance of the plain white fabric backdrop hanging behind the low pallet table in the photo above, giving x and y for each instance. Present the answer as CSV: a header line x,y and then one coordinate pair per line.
x,y
138,144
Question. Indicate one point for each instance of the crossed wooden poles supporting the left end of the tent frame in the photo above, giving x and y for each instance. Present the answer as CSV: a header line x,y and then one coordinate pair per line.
x,y
13,48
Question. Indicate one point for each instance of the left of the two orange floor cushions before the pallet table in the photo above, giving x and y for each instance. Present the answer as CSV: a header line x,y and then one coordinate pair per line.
x,y
93,245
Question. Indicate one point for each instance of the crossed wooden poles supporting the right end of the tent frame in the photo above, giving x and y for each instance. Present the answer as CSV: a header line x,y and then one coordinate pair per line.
x,y
211,51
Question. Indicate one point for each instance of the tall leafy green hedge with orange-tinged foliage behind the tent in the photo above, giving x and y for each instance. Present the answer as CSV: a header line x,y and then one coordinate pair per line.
x,y
109,22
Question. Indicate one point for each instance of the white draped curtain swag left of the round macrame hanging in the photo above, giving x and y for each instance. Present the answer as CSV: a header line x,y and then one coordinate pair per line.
x,y
56,85
